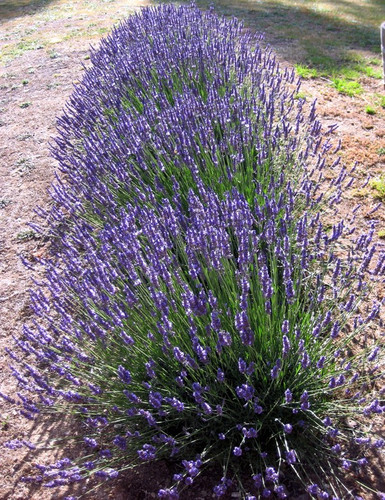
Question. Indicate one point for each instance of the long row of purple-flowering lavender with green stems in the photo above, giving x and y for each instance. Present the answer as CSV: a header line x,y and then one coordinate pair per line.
x,y
195,306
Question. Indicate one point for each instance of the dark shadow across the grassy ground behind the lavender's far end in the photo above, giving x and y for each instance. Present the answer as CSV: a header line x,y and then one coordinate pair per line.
x,y
302,33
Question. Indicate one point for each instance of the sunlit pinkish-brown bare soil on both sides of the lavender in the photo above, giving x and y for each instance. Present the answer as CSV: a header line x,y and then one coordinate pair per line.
x,y
44,47
